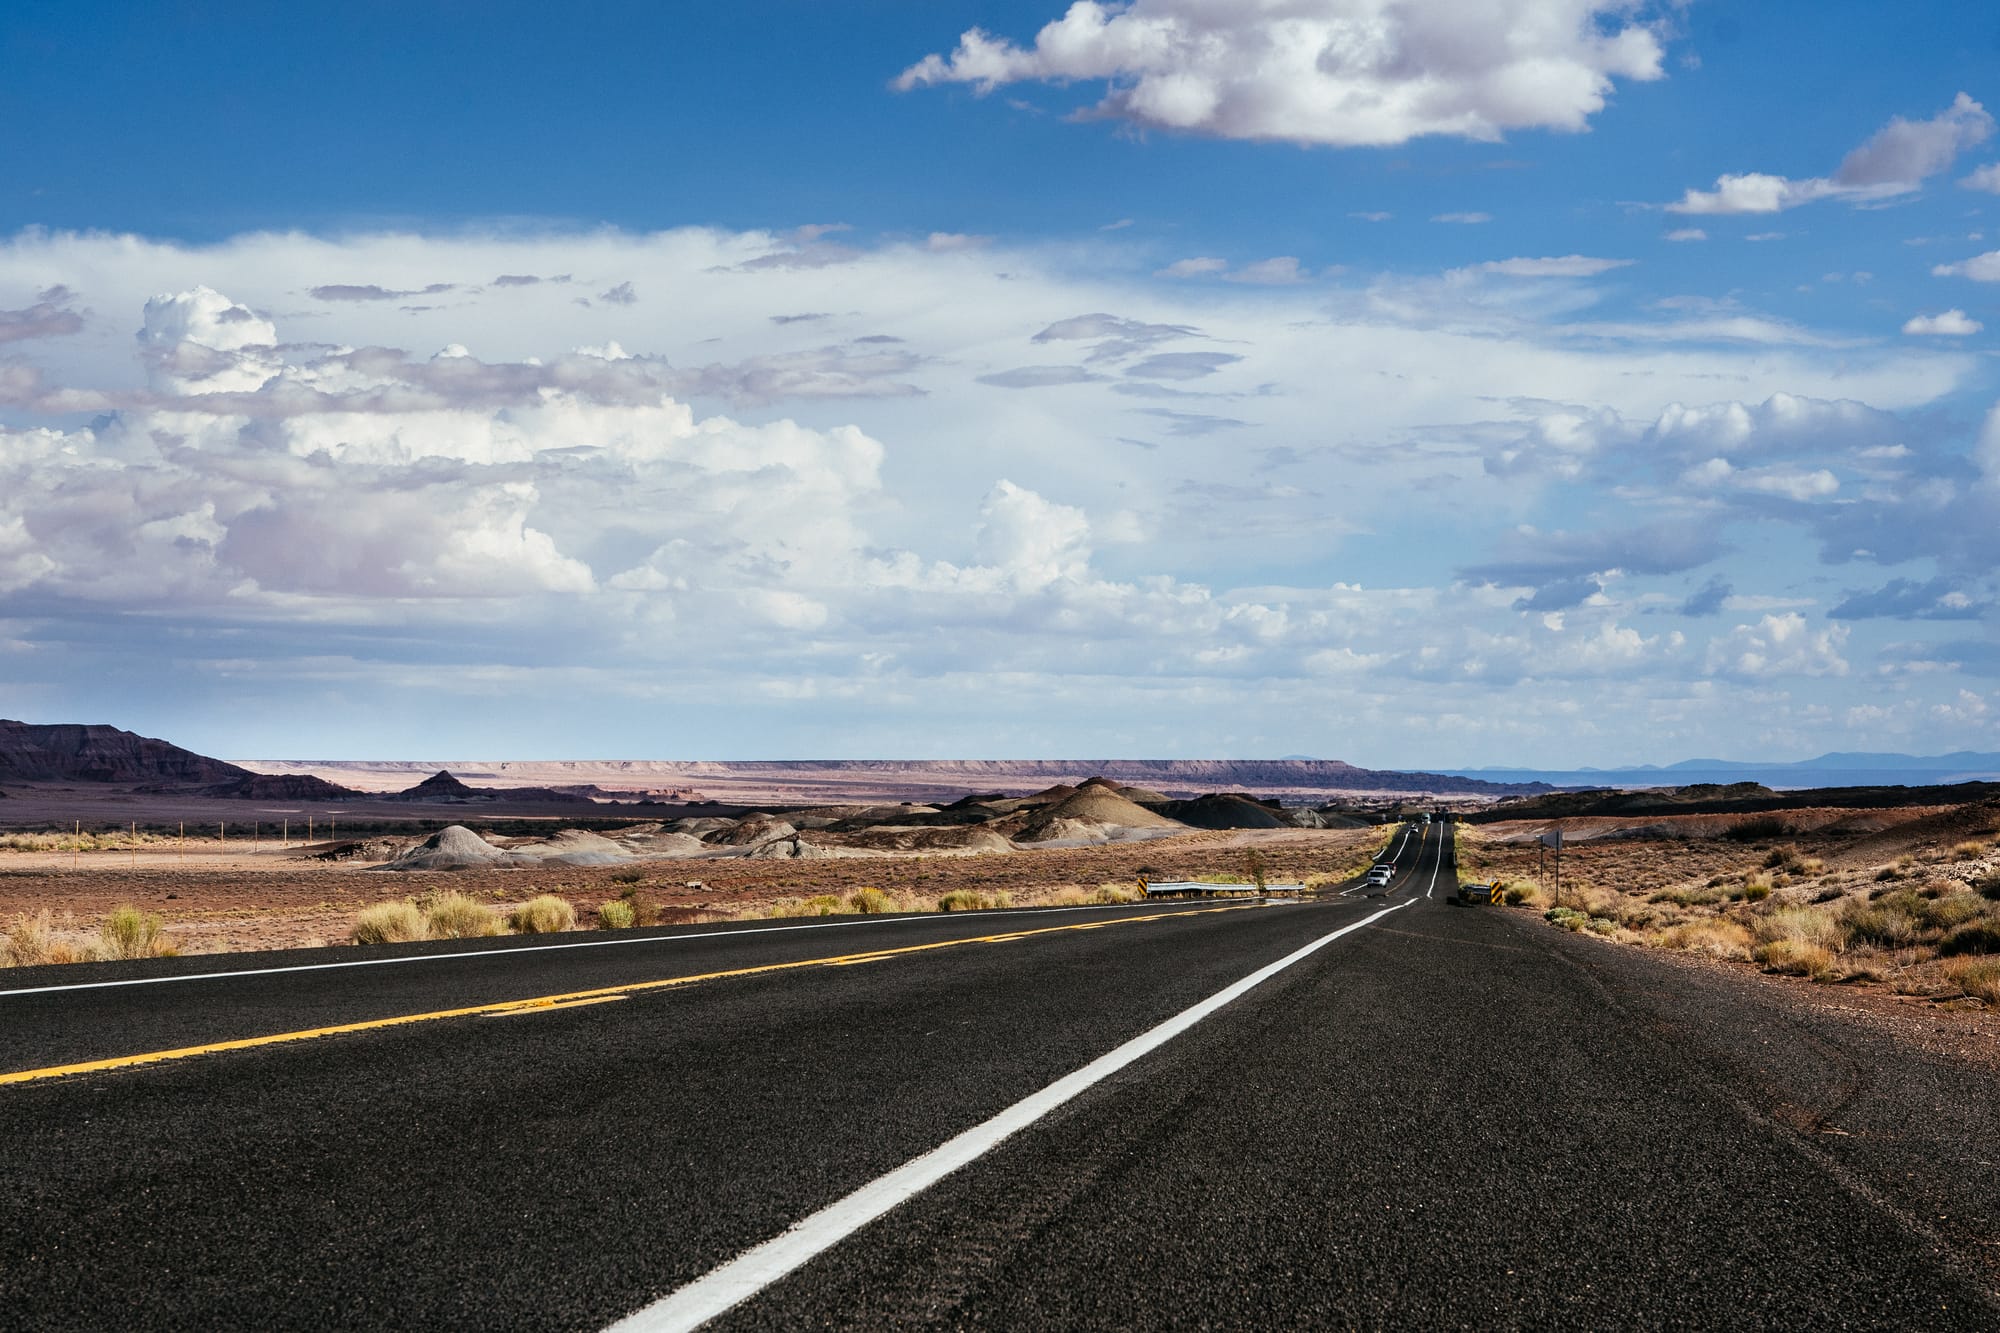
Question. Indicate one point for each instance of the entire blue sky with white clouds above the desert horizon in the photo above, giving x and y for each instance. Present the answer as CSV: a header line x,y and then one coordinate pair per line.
x,y
1419,383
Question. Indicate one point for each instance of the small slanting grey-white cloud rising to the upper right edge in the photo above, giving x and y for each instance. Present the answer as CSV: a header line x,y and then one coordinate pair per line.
x,y
1899,159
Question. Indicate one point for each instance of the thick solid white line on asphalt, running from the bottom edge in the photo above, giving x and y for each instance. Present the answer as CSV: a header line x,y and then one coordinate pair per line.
x,y
755,1270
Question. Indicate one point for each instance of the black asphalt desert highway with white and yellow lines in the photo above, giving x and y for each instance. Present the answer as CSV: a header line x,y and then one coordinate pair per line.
x,y
1373,1110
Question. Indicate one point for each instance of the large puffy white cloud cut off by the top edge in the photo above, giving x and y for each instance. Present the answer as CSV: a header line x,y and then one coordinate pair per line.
x,y
1325,71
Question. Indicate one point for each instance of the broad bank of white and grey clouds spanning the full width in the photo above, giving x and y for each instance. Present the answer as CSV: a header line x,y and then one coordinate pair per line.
x,y
747,467
